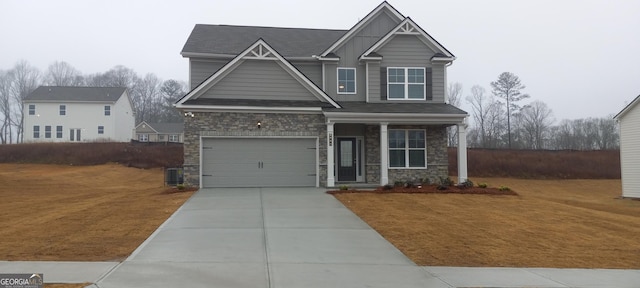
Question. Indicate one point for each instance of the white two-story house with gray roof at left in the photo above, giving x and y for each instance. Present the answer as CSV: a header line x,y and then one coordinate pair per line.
x,y
78,114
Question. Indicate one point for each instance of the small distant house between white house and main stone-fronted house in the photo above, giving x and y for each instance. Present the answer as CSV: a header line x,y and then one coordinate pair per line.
x,y
159,132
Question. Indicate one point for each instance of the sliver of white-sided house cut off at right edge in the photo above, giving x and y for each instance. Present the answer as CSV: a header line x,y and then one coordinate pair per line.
x,y
629,120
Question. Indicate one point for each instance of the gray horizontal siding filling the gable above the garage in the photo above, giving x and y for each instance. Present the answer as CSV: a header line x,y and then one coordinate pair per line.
x,y
259,79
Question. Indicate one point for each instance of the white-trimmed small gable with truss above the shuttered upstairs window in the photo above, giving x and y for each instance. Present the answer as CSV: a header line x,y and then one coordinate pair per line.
x,y
409,27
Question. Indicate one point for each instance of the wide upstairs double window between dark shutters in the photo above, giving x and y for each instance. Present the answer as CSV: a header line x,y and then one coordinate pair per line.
x,y
406,83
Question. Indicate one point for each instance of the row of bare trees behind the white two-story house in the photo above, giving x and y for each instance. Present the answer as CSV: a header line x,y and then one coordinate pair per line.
x,y
152,98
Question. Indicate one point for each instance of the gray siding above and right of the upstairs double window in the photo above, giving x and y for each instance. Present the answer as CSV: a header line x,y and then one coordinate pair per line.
x,y
409,51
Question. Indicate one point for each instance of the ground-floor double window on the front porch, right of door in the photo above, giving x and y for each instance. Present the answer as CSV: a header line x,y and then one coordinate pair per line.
x,y
407,148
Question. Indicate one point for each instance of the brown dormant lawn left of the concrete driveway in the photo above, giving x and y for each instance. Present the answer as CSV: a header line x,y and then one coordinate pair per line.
x,y
80,213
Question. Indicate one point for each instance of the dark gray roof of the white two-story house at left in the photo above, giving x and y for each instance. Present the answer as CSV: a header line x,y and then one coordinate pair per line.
x,y
75,94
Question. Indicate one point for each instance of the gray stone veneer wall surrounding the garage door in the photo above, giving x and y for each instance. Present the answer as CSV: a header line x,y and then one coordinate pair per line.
x,y
245,125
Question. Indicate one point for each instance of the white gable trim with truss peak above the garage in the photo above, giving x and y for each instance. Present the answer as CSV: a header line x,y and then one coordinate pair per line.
x,y
262,51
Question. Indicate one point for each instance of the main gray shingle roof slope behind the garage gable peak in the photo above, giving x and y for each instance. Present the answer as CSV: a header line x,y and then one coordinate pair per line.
x,y
231,40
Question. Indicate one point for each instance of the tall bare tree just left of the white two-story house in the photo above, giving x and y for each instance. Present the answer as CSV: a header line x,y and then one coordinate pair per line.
x,y
26,78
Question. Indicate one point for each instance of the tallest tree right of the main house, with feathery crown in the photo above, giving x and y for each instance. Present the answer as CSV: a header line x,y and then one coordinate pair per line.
x,y
508,87
